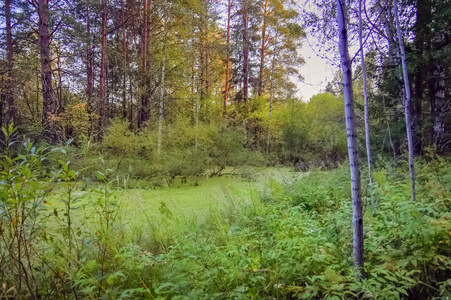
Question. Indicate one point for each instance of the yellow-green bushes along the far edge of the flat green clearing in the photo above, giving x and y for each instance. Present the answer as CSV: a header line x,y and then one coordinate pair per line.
x,y
187,151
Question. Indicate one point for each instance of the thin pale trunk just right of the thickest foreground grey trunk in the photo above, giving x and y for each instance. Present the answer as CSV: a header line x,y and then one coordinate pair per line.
x,y
365,96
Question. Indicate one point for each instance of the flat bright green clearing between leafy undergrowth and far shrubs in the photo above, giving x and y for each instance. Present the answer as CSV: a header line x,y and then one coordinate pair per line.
x,y
195,198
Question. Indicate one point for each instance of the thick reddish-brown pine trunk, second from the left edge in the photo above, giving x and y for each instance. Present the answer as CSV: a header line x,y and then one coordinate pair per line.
x,y
46,67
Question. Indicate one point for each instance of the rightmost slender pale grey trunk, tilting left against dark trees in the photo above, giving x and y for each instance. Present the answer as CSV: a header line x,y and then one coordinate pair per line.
x,y
406,99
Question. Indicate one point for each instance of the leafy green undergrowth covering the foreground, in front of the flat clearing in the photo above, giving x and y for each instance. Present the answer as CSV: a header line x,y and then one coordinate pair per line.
x,y
292,241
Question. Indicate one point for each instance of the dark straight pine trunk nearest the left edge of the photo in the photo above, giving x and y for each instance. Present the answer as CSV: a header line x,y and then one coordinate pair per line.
x,y
9,57
